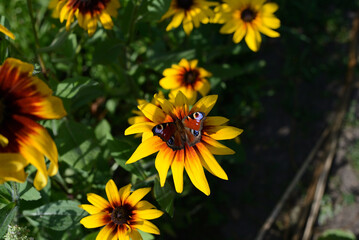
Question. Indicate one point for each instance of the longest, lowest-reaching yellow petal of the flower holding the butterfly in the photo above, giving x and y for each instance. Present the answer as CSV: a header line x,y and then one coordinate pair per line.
x,y
195,171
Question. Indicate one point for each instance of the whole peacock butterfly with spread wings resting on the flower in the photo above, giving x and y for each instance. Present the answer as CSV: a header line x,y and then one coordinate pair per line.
x,y
181,132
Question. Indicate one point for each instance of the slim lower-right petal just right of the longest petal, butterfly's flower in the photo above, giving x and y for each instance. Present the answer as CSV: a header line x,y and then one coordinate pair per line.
x,y
210,162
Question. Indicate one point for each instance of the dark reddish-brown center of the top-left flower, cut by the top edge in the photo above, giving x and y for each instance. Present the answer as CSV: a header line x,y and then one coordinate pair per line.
x,y
89,6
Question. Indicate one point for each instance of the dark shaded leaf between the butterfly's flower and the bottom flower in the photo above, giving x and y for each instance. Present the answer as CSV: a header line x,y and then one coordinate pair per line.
x,y
164,196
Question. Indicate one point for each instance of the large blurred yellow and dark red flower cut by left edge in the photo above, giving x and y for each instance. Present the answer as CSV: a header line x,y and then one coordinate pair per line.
x,y
24,99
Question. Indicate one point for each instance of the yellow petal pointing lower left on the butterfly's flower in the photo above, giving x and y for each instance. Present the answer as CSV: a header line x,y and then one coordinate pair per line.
x,y
147,148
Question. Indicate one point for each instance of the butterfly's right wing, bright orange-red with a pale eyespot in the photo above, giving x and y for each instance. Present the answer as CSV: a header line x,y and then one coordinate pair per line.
x,y
193,125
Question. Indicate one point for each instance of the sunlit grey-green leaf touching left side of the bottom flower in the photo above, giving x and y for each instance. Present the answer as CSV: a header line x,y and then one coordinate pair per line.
x,y
59,216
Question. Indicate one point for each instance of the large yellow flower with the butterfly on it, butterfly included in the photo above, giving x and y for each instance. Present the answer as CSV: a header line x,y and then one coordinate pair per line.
x,y
184,139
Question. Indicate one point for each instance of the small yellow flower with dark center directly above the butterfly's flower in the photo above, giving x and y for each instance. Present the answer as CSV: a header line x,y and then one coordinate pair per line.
x,y
187,78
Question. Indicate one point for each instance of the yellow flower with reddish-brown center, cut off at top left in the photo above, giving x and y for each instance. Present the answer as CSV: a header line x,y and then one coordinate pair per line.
x,y
88,13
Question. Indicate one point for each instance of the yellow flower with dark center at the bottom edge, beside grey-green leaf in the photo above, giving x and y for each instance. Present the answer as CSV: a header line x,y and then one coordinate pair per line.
x,y
122,215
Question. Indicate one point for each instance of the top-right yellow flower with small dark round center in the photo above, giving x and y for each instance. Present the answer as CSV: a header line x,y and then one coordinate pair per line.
x,y
248,18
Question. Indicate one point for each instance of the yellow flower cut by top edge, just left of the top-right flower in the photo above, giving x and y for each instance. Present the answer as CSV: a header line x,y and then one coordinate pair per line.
x,y
190,12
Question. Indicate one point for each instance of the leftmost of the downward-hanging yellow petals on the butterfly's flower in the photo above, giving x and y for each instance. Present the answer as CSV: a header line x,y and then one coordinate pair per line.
x,y
163,162
